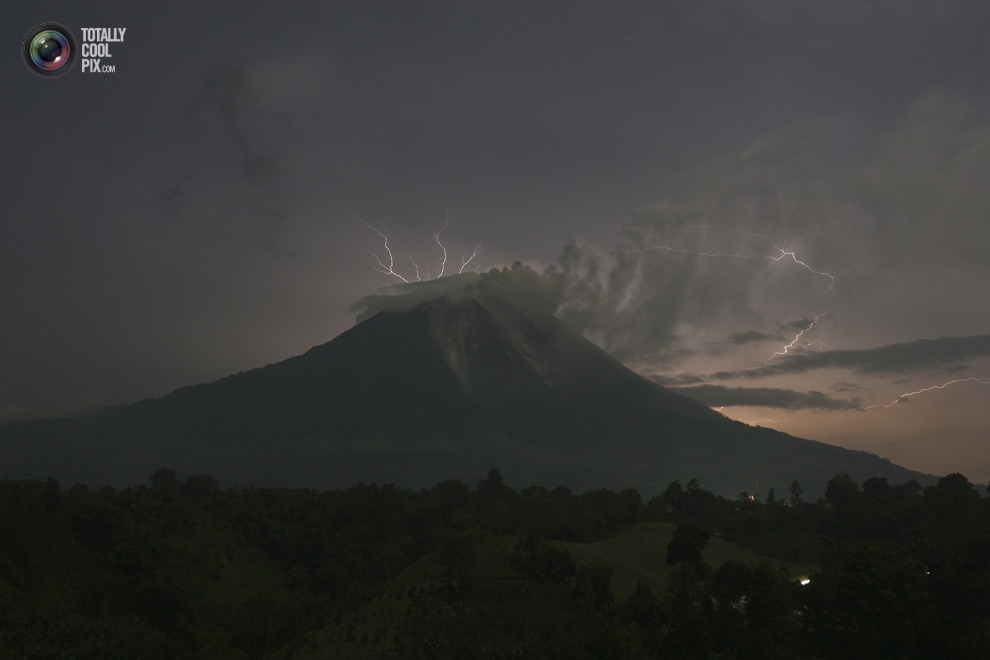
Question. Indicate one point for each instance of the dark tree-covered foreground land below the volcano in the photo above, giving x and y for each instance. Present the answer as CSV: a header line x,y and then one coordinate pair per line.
x,y
186,569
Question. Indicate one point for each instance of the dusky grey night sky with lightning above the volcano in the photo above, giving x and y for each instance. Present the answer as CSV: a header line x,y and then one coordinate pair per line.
x,y
781,207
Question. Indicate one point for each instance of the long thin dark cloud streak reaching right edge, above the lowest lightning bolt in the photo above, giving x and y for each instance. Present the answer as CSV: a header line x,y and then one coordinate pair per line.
x,y
943,354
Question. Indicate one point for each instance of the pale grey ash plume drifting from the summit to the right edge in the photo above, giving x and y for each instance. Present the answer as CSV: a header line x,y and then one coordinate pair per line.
x,y
896,209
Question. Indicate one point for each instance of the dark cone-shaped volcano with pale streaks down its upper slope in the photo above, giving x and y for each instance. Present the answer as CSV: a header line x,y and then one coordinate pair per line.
x,y
445,389
